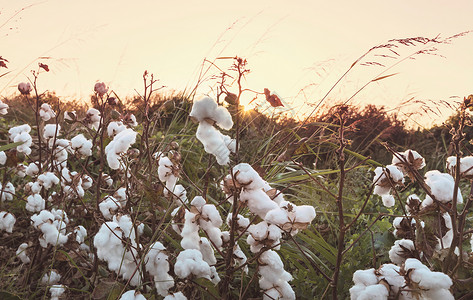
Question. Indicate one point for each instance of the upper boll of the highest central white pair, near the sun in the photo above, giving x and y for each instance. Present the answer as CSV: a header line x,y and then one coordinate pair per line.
x,y
207,108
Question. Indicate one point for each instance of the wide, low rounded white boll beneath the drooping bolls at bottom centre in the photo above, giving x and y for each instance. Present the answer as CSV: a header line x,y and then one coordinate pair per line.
x,y
189,262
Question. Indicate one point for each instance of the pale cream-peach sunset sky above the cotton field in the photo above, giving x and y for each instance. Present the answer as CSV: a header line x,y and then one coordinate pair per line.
x,y
296,48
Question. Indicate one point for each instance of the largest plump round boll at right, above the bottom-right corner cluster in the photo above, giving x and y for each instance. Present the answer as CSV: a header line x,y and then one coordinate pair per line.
x,y
441,186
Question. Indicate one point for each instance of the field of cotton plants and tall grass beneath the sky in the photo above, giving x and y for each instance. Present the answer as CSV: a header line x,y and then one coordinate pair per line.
x,y
179,197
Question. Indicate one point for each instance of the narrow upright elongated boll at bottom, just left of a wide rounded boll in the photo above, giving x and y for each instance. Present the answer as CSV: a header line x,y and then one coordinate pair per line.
x,y
156,262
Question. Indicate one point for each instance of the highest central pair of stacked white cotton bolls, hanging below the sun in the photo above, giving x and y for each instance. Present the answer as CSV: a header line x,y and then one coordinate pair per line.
x,y
207,113
